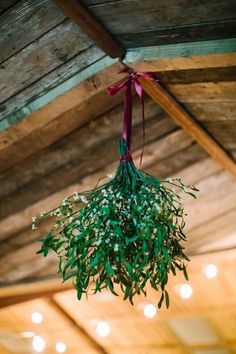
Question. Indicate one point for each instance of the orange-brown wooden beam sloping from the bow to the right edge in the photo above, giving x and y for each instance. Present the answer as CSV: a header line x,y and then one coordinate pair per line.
x,y
172,107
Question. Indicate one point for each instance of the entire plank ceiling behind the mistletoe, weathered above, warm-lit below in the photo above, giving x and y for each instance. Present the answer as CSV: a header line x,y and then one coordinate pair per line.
x,y
59,131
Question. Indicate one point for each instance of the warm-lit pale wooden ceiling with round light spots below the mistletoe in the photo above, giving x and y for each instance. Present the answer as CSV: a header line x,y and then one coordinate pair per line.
x,y
207,318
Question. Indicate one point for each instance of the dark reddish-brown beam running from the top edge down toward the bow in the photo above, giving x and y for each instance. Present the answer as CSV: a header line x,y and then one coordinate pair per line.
x,y
92,27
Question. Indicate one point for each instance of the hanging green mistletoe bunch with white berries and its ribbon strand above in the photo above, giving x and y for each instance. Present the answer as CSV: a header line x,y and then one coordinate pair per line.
x,y
127,231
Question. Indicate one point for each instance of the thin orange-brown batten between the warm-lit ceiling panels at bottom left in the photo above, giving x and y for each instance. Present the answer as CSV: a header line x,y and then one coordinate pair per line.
x,y
100,350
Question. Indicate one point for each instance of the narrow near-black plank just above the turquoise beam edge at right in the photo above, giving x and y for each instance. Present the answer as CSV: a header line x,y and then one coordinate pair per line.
x,y
179,34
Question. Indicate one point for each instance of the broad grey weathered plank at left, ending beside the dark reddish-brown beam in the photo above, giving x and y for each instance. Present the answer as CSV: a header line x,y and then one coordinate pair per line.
x,y
41,57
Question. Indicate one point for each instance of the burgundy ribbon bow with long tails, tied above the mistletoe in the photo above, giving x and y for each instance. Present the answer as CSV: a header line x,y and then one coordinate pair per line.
x,y
130,82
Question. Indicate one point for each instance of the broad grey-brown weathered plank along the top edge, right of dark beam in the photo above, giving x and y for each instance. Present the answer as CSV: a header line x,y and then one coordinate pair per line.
x,y
149,15
